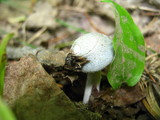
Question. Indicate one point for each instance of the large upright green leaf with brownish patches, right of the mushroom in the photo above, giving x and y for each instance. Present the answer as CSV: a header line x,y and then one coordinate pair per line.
x,y
128,43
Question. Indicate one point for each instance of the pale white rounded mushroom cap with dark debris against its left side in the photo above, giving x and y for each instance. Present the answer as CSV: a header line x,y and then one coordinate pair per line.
x,y
95,47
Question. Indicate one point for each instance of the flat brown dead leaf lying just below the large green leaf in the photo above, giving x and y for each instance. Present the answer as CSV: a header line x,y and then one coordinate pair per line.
x,y
124,96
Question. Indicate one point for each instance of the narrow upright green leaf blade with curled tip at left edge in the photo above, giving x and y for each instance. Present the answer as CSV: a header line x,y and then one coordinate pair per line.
x,y
3,45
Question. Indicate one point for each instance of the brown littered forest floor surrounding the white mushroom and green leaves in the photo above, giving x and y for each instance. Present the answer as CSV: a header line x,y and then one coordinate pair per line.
x,y
38,89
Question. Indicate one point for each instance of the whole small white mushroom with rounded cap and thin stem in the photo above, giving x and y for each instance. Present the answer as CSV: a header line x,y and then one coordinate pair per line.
x,y
98,49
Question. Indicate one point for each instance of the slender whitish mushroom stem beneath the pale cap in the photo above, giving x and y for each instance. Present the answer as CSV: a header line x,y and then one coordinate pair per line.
x,y
93,79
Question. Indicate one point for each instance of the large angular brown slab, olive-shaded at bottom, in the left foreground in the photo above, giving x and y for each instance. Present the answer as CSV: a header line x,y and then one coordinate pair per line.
x,y
33,94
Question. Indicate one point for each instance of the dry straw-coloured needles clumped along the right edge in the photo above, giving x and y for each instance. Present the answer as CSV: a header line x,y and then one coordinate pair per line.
x,y
152,100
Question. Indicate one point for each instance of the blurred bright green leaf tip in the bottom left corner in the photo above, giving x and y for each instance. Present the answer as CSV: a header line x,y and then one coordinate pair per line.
x,y
5,113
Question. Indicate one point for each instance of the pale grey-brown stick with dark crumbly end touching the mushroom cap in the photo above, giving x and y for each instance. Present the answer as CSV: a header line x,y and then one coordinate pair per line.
x,y
50,58
